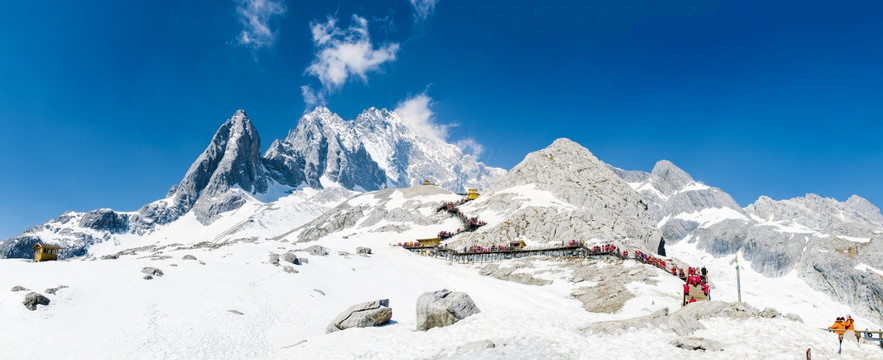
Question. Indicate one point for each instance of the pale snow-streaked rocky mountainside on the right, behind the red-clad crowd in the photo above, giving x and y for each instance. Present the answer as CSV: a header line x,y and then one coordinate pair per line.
x,y
824,242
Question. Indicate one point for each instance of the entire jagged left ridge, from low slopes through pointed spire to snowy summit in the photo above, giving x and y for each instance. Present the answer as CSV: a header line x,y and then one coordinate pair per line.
x,y
322,151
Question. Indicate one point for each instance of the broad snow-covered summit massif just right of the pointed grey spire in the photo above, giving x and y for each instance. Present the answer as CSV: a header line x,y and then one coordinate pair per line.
x,y
376,150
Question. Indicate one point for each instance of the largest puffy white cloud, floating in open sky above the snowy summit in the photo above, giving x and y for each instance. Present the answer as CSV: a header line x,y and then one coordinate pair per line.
x,y
342,53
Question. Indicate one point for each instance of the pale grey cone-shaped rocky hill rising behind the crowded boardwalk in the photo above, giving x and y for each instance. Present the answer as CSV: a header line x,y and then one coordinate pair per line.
x,y
588,201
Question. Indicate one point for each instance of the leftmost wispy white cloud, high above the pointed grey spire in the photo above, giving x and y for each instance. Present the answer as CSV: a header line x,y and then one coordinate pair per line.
x,y
255,16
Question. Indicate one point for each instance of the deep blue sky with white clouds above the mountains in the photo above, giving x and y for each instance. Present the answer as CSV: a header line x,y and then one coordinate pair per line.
x,y
107,103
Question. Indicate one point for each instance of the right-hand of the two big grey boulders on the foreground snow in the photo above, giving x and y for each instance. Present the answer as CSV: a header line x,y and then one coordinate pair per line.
x,y
443,308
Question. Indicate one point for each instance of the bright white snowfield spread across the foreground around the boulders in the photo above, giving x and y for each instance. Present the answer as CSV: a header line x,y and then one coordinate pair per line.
x,y
110,312
